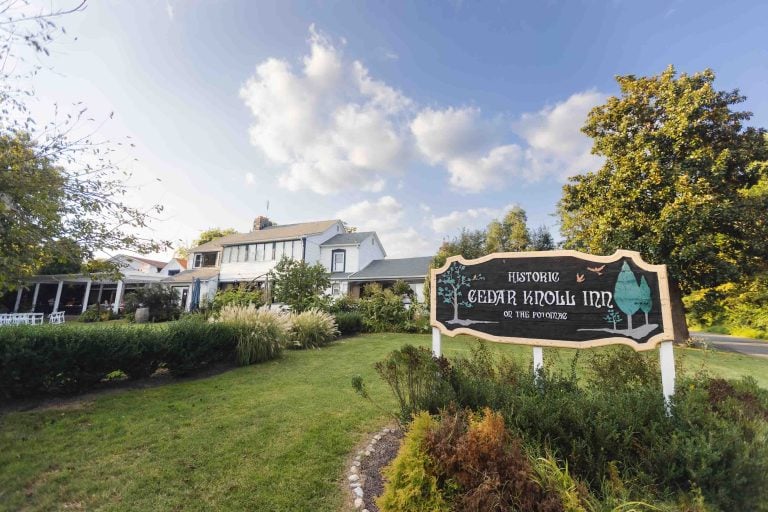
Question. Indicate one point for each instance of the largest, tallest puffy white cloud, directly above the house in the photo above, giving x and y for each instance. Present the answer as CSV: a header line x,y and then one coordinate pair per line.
x,y
329,124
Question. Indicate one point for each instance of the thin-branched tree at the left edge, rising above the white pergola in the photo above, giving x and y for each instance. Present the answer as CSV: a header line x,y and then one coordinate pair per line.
x,y
57,183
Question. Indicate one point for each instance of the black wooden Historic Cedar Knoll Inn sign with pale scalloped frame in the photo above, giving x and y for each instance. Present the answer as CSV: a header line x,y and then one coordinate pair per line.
x,y
554,298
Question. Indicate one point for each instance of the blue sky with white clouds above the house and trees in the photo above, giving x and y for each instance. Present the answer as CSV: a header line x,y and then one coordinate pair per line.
x,y
413,119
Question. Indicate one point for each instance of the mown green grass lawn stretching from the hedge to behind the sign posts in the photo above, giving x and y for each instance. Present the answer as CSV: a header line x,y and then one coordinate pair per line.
x,y
273,436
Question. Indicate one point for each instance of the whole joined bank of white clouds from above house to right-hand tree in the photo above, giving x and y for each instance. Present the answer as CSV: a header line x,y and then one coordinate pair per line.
x,y
329,126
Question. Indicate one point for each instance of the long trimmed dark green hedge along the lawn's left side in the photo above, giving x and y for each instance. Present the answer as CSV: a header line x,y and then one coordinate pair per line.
x,y
62,359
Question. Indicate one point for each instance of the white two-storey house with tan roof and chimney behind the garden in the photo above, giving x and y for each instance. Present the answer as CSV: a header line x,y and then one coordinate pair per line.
x,y
247,258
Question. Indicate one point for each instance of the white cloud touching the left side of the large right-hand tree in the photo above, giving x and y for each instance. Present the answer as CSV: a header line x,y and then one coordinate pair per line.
x,y
556,145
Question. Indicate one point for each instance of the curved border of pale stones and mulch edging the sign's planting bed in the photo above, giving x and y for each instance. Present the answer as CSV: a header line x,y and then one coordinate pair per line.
x,y
367,463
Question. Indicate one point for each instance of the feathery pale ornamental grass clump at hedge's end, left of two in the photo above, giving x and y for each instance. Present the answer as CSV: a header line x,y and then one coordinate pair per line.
x,y
261,333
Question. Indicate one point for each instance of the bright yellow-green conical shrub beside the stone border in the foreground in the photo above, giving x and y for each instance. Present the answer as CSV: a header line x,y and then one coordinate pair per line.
x,y
411,483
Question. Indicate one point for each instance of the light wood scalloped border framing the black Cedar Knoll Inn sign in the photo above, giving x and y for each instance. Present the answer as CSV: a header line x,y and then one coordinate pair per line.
x,y
664,298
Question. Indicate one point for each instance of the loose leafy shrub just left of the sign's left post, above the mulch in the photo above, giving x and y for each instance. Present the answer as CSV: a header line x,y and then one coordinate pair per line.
x,y
419,381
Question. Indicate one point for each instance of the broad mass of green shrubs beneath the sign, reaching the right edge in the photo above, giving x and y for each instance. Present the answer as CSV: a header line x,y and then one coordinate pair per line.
x,y
711,453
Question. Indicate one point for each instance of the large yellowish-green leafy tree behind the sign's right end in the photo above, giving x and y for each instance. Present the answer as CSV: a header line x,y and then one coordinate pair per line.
x,y
683,183
